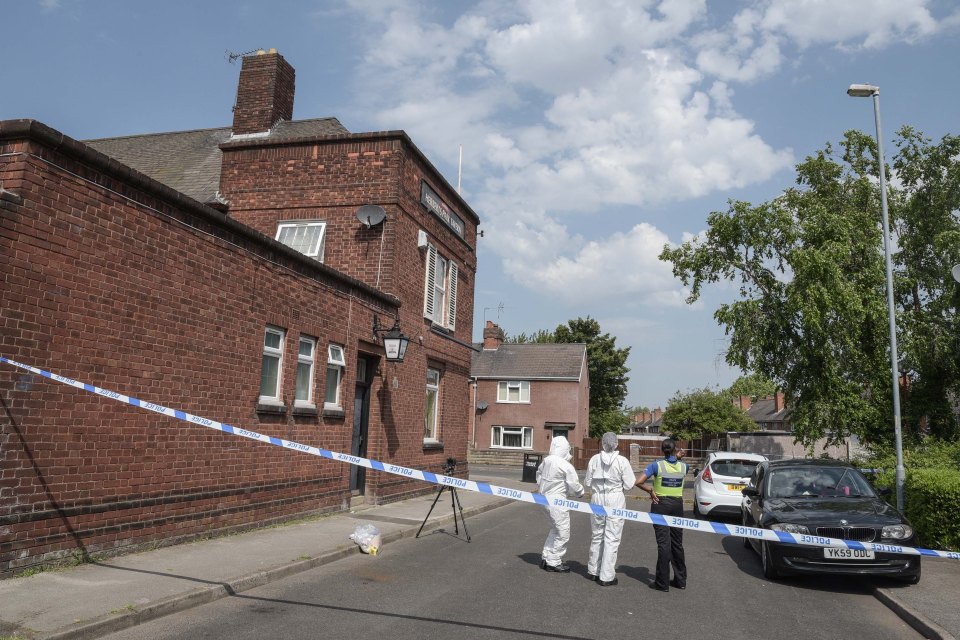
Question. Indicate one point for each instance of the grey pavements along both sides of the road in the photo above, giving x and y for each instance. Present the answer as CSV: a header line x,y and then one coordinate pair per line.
x,y
94,599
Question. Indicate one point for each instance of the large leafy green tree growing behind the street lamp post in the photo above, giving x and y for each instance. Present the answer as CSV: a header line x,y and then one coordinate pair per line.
x,y
811,315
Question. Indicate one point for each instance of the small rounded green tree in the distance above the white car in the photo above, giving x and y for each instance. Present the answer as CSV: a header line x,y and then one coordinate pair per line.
x,y
690,415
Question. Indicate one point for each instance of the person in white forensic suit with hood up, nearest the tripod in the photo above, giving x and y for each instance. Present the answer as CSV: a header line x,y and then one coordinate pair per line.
x,y
557,478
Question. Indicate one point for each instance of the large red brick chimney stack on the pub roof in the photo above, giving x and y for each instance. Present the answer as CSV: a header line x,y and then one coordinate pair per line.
x,y
264,93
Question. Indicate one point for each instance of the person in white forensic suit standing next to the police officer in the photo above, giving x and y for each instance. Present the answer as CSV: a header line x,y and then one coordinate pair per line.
x,y
608,476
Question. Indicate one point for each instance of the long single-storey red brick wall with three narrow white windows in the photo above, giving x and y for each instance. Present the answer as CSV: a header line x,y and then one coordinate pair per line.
x,y
157,297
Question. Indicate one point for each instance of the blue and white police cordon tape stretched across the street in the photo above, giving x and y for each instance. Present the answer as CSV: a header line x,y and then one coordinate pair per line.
x,y
630,515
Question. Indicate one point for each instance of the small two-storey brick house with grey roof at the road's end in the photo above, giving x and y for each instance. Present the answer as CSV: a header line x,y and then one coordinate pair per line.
x,y
524,394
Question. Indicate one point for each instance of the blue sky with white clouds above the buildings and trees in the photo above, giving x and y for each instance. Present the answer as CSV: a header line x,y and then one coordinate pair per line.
x,y
593,132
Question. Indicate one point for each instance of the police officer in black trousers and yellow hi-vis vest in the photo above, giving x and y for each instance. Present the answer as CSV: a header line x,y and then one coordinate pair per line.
x,y
666,495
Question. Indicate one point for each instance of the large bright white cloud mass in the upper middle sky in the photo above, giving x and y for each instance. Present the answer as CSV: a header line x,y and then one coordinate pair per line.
x,y
569,107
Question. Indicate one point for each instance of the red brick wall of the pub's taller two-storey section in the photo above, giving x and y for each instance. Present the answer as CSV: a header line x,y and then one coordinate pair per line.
x,y
328,179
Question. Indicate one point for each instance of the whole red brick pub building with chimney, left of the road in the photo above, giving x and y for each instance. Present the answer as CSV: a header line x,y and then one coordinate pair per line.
x,y
246,275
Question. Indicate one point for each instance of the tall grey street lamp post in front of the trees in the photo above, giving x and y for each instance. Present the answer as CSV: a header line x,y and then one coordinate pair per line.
x,y
873,91
